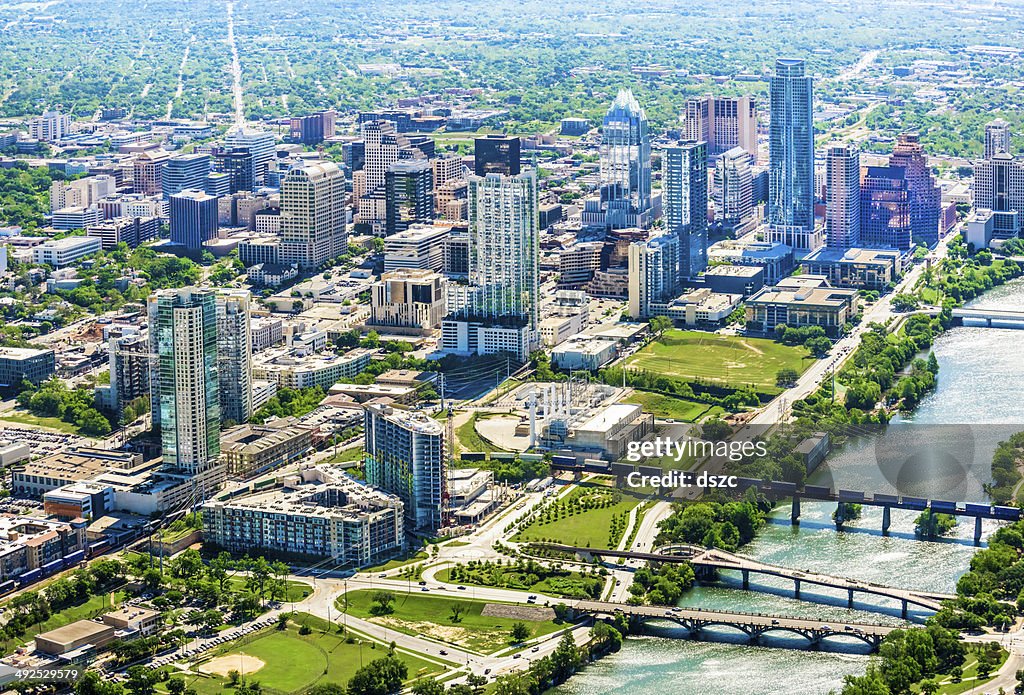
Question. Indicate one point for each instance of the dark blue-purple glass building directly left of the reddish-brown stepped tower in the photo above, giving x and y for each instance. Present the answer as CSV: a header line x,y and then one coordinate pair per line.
x,y
885,208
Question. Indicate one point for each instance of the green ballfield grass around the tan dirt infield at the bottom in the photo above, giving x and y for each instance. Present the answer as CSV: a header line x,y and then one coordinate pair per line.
x,y
293,663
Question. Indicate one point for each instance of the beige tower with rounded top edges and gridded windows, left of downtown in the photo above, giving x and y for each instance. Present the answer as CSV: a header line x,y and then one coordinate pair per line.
x,y
313,214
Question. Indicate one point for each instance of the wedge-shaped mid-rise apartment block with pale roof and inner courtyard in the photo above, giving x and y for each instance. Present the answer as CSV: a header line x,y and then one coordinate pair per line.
x,y
317,513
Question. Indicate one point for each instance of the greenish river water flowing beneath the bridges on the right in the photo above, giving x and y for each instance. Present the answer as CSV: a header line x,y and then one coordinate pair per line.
x,y
980,381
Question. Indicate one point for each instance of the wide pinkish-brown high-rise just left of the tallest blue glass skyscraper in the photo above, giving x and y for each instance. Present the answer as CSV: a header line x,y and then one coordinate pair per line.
x,y
723,122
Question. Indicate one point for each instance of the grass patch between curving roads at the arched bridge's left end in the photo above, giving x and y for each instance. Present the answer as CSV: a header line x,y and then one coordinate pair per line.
x,y
419,614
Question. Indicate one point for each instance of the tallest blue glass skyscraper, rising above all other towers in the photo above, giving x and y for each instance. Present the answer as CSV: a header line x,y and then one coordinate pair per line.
x,y
791,147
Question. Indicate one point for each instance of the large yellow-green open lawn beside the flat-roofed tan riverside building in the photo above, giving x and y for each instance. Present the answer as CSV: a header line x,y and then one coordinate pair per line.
x,y
730,361
